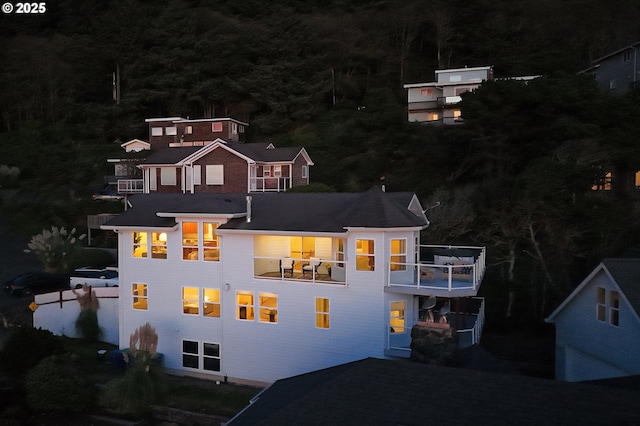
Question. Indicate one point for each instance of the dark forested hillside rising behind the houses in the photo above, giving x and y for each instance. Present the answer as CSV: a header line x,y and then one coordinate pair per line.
x,y
328,75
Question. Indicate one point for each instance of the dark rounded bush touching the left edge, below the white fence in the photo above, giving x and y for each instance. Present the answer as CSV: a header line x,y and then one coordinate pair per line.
x,y
25,347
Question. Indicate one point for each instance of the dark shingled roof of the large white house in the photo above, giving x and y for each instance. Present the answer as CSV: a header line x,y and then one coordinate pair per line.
x,y
310,212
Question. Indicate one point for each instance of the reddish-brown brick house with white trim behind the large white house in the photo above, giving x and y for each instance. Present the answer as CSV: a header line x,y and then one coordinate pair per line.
x,y
205,155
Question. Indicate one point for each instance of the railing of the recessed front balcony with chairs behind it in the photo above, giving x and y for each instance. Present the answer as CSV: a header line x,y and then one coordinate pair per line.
x,y
300,269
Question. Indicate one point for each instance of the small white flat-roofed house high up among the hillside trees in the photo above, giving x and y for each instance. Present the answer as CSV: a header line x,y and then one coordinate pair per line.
x,y
437,102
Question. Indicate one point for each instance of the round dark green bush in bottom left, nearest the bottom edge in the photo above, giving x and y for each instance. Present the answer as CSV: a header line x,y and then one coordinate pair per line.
x,y
55,386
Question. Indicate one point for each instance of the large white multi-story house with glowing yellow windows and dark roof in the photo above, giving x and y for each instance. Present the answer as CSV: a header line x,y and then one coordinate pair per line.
x,y
260,287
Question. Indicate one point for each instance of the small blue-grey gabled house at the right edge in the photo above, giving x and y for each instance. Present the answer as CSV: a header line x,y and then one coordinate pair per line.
x,y
598,327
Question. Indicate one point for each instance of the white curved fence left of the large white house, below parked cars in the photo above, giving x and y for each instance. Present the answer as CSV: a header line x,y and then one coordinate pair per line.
x,y
58,311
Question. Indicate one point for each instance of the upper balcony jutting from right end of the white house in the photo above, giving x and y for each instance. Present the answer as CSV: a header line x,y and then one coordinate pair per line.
x,y
442,271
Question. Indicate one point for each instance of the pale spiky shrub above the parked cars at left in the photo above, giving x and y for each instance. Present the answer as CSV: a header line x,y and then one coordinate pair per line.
x,y
56,248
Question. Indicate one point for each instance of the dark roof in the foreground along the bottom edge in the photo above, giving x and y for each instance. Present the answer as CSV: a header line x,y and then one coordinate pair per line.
x,y
384,392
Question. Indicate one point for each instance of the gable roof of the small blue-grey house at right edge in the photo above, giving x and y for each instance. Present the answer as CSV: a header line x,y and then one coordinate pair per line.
x,y
624,272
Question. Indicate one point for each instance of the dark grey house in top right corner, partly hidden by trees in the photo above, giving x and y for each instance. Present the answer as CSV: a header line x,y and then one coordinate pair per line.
x,y
619,71
